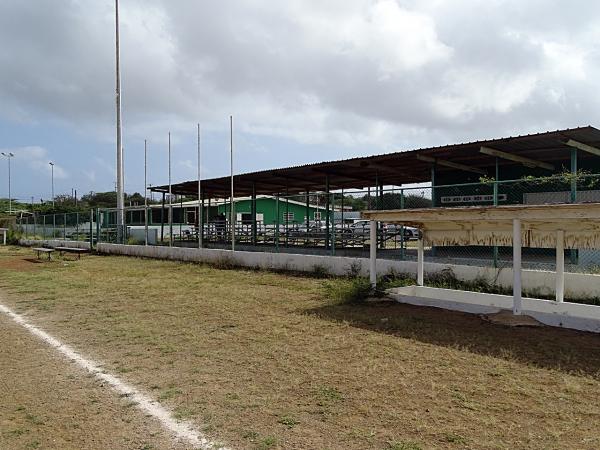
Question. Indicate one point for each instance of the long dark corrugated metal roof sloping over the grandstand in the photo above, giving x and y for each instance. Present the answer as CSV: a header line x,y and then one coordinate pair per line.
x,y
395,168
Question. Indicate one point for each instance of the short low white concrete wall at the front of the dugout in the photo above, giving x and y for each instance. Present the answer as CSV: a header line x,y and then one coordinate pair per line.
x,y
566,315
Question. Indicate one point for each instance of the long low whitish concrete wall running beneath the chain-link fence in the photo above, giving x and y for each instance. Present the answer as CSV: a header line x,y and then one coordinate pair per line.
x,y
534,281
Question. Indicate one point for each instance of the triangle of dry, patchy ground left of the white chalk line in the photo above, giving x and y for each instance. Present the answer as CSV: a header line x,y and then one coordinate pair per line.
x,y
47,403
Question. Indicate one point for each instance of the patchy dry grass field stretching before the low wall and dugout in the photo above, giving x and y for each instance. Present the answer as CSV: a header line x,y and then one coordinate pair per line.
x,y
259,360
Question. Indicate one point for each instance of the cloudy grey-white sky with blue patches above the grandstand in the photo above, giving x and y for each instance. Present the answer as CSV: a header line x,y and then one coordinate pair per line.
x,y
305,81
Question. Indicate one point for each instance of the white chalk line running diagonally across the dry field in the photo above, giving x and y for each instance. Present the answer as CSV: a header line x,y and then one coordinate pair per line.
x,y
181,429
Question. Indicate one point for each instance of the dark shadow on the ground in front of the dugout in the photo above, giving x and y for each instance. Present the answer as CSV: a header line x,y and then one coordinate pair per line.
x,y
569,351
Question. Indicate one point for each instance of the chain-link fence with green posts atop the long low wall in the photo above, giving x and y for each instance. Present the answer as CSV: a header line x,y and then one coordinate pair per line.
x,y
329,223
